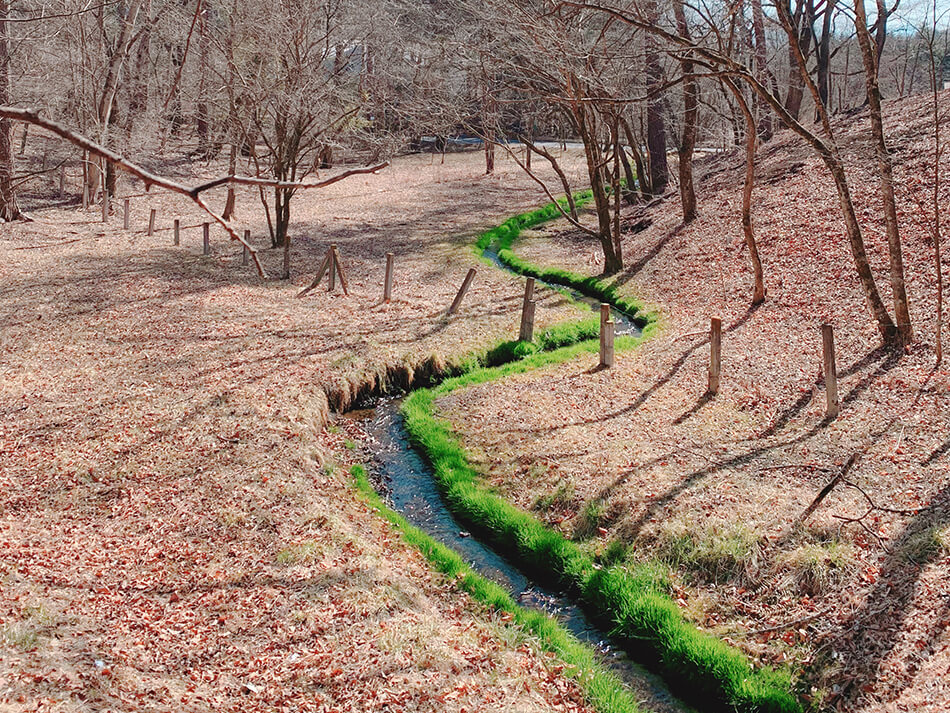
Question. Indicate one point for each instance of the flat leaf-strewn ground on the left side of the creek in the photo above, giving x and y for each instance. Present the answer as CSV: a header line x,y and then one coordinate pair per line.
x,y
176,529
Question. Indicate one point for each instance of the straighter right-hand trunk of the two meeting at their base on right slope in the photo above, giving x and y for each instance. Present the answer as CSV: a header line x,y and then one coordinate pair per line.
x,y
898,287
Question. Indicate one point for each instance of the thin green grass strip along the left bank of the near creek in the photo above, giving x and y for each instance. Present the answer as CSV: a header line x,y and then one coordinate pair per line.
x,y
602,688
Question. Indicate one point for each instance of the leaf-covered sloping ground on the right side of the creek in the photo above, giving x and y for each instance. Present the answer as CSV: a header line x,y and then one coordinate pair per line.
x,y
859,599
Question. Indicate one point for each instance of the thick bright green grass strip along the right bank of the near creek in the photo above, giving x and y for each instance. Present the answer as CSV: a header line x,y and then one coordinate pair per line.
x,y
639,612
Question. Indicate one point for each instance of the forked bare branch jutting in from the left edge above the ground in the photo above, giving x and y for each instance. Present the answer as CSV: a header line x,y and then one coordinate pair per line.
x,y
30,116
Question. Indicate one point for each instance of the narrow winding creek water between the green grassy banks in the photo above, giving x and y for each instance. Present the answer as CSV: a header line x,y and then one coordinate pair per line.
x,y
405,480
